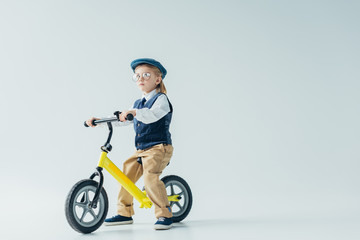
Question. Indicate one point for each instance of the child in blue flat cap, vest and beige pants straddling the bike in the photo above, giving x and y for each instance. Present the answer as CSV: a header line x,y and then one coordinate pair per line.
x,y
152,117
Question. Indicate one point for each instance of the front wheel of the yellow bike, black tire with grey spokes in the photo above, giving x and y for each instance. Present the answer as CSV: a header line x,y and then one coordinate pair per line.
x,y
79,197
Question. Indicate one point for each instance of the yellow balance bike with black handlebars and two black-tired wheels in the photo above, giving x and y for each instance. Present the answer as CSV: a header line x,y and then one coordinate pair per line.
x,y
87,203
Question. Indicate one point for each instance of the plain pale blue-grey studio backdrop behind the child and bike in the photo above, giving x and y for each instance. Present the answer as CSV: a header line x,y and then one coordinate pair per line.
x,y
265,95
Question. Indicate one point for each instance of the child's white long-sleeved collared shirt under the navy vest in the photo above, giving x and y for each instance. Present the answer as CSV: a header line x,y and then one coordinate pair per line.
x,y
157,111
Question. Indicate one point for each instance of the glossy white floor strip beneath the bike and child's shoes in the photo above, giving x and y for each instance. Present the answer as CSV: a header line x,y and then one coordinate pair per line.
x,y
287,228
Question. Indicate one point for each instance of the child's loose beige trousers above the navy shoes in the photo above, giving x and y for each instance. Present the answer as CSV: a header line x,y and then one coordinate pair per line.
x,y
154,160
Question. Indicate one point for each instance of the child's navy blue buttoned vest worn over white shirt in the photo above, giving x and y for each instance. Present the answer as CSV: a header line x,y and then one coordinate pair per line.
x,y
148,135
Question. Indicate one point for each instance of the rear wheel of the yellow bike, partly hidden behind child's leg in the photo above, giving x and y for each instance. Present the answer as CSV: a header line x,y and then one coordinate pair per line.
x,y
175,185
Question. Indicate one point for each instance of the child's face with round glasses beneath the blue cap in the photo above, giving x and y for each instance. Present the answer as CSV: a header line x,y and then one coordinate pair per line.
x,y
145,82
